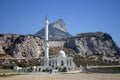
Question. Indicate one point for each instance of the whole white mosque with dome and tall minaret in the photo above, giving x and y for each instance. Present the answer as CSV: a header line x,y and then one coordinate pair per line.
x,y
61,62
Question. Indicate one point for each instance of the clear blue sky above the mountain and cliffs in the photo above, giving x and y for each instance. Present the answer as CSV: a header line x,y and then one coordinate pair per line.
x,y
80,16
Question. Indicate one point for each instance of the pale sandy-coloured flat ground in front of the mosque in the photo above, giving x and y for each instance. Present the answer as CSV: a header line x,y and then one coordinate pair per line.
x,y
76,76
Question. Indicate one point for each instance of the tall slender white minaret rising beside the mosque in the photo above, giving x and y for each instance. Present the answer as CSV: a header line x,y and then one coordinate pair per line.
x,y
46,39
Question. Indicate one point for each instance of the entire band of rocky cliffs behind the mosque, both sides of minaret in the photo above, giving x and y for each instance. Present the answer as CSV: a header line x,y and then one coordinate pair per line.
x,y
87,48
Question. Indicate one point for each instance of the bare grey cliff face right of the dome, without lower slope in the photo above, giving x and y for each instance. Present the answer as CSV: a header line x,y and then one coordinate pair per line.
x,y
93,44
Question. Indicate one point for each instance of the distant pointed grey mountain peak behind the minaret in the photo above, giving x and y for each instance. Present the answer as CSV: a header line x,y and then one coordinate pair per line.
x,y
57,30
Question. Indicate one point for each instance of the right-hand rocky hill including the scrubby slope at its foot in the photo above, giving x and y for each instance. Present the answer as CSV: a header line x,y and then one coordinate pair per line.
x,y
96,48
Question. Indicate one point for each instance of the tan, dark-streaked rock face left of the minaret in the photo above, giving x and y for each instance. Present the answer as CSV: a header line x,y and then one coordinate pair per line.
x,y
19,46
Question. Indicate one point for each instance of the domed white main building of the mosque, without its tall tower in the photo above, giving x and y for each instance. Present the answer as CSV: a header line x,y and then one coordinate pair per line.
x,y
61,62
